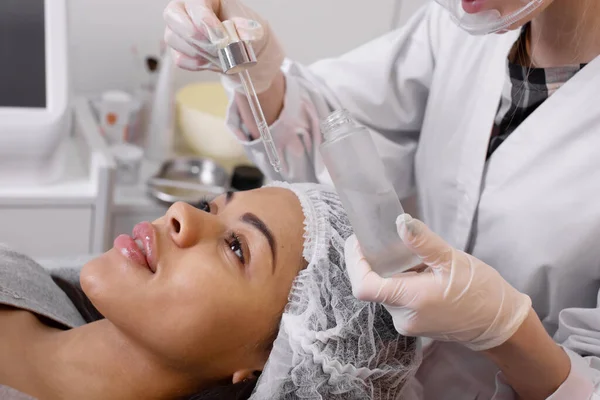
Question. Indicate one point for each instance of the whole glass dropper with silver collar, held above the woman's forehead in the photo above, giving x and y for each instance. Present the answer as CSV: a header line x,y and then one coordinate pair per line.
x,y
237,57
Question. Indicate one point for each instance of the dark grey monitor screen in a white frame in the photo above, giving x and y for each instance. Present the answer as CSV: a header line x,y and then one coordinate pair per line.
x,y
22,54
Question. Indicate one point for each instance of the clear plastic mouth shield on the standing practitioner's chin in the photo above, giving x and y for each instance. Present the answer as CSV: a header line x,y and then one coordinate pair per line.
x,y
489,20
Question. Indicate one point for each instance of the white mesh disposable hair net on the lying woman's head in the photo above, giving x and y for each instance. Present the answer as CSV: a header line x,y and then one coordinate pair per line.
x,y
331,345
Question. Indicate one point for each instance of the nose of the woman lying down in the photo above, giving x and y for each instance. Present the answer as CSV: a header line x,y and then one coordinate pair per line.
x,y
183,224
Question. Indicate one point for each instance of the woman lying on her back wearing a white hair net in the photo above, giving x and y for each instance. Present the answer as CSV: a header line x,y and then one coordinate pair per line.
x,y
198,303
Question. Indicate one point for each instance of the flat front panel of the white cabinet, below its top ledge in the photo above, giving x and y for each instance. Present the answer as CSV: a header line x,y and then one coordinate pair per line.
x,y
47,231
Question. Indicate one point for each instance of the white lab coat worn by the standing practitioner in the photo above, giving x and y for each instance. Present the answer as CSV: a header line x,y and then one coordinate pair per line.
x,y
429,93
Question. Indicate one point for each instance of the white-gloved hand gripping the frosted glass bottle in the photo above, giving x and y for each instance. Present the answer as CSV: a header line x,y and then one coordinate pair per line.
x,y
453,296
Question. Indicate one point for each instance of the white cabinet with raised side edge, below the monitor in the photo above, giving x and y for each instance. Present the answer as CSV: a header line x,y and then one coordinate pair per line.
x,y
68,217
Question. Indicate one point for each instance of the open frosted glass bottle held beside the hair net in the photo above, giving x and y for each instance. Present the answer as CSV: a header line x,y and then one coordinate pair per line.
x,y
359,176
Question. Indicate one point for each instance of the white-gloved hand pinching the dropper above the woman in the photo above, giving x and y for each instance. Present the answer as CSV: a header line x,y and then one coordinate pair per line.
x,y
194,31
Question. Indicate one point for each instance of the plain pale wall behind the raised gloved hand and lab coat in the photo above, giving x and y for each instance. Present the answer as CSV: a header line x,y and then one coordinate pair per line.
x,y
103,32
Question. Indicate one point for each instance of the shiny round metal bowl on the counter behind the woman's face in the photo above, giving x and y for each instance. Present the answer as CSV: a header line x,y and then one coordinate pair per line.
x,y
188,179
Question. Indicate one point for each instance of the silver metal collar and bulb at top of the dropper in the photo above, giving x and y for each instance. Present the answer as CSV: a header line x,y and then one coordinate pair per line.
x,y
237,55
